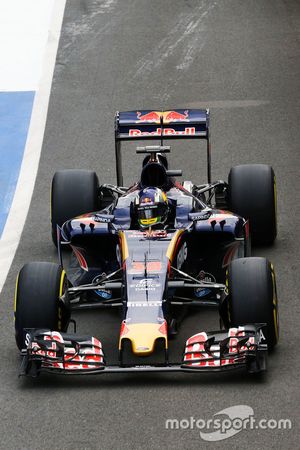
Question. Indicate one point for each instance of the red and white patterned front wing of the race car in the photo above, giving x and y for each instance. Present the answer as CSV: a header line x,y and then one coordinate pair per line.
x,y
52,351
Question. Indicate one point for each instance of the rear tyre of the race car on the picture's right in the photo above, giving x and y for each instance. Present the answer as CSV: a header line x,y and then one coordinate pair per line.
x,y
252,195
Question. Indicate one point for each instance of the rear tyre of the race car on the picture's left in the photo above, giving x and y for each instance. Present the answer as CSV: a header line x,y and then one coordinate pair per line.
x,y
73,192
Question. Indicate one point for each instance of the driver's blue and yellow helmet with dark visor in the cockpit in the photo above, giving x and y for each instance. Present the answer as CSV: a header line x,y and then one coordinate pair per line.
x,y
151,207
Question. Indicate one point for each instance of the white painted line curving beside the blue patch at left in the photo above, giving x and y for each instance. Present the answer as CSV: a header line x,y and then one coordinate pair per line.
x,y
19,209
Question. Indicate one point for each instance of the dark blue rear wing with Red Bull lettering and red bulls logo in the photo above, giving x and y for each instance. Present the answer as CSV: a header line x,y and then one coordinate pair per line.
x,y
160,125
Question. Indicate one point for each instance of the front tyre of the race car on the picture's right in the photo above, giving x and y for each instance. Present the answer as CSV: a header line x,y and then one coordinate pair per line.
x,y
252,296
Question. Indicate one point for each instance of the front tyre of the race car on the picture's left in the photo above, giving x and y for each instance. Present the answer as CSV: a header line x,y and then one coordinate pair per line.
x,y
37,305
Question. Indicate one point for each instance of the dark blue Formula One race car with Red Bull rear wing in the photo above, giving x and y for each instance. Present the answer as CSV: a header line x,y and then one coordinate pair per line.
x,y
150,249
